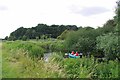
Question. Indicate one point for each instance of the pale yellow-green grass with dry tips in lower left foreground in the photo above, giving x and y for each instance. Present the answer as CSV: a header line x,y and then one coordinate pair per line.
x,y
17,64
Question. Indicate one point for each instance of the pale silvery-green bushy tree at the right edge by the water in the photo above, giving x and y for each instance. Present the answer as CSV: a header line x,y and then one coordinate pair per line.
x,y
109,44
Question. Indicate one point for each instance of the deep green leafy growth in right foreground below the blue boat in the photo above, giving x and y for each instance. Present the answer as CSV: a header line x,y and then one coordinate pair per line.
x,y
86,68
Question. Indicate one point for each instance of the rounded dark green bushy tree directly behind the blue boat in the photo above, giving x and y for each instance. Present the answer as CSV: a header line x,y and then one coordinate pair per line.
x,y
81,40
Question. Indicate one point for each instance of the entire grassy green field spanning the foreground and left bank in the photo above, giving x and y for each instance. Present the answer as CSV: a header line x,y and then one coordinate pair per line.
x,y
24,59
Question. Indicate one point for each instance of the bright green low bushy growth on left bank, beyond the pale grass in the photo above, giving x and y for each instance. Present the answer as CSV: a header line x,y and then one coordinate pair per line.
x,y
33,49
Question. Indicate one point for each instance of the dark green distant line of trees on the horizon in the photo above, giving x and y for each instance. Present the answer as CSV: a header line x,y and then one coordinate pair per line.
x,y
52,31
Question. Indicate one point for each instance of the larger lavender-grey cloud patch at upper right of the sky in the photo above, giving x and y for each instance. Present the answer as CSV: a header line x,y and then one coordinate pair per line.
x,y
89,11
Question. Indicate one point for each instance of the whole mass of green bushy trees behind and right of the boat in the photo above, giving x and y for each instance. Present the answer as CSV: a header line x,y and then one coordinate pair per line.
x,y
102,41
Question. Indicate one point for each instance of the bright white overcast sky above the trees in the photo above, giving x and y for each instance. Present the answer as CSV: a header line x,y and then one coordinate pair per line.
x,y
29,13
